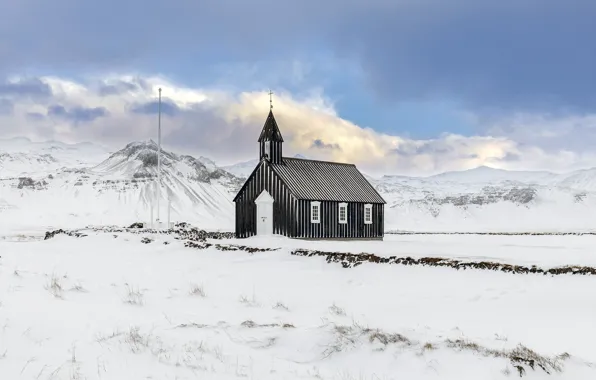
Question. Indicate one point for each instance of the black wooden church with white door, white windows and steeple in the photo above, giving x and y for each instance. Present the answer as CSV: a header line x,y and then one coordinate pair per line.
x,y
306,199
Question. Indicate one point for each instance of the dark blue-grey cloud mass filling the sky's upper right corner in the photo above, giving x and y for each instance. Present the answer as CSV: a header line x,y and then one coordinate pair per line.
x,y
490,55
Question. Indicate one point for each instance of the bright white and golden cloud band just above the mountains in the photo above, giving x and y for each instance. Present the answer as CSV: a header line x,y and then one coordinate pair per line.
x,y
225,126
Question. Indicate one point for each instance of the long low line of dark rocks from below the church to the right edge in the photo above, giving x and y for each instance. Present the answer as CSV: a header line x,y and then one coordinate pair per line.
x,y
351,260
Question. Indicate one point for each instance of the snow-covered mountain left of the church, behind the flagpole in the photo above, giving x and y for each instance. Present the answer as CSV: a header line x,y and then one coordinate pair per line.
x,y
119,189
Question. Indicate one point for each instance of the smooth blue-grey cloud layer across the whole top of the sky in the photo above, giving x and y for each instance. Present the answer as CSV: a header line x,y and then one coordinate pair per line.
x,y
494,56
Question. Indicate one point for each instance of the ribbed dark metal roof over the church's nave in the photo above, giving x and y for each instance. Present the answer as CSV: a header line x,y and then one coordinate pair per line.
x,y
326,181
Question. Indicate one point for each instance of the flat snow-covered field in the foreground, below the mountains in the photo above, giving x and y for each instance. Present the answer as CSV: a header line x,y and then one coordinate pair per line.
x,y
107,306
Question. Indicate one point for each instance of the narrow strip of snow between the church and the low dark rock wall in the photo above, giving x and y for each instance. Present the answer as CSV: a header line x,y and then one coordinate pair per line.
x,y
546,250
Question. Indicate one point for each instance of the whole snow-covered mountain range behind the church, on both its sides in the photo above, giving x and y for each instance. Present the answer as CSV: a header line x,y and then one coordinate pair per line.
x,y
84,183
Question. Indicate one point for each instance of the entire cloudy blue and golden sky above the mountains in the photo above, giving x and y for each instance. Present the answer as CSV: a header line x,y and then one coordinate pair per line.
x,y
396,87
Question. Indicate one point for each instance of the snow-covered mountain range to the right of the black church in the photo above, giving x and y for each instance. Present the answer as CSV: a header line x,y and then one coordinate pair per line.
x,y
484,198
